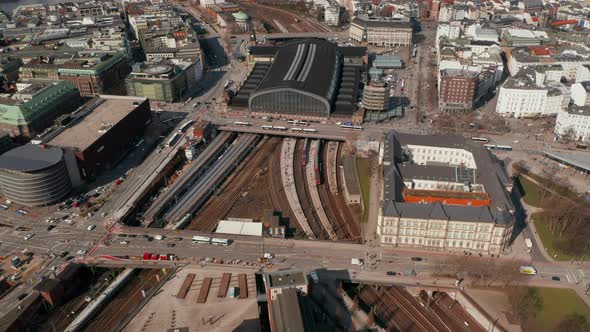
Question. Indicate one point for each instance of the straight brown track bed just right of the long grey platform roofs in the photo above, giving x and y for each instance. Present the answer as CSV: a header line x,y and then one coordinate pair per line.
x,y
250,169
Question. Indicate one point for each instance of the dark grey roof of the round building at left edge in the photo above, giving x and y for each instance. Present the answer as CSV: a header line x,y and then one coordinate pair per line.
x,y
30,157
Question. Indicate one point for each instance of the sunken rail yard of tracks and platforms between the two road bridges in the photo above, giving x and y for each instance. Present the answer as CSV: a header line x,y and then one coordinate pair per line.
x,y
236,176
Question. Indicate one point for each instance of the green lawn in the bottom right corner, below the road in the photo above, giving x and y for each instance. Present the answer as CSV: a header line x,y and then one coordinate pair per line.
x,y
557,303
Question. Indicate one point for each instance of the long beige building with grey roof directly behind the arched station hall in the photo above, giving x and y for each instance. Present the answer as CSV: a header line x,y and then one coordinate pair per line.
x,y
381,31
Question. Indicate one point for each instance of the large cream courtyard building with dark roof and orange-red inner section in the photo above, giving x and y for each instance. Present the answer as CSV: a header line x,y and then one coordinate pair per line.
x,y
443,193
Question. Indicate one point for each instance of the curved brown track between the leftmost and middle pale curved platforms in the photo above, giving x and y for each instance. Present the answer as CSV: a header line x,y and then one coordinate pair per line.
x,y
303,193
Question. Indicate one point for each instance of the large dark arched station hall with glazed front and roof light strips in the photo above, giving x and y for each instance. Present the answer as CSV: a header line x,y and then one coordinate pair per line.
x,y
303,78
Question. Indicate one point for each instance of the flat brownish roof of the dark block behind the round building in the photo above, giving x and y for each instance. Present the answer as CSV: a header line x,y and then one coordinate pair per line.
x,y
110,111
